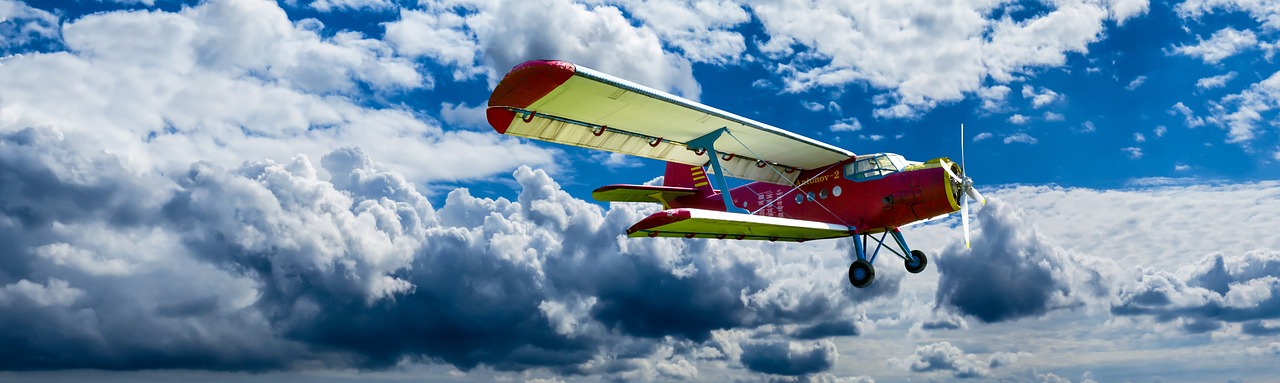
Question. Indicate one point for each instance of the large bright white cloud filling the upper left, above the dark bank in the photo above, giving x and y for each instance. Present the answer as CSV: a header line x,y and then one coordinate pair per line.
x,y
232,80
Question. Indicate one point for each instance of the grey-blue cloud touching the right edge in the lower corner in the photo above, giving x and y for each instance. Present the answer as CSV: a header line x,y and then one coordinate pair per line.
x,y
1206,295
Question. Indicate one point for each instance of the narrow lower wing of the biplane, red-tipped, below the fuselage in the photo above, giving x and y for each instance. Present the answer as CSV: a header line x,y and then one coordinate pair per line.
x,y
700,224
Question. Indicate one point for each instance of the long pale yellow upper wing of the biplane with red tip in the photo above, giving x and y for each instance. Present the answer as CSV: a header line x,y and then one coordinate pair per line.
x,y
564,103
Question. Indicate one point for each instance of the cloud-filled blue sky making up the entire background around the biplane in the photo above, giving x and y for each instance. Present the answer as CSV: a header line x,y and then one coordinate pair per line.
x,y
241,190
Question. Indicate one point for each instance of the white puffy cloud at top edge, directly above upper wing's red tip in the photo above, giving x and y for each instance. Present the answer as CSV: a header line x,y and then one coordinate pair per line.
x,y
486,37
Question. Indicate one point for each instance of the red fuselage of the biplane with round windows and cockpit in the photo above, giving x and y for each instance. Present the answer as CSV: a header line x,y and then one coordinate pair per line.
x,y
871,194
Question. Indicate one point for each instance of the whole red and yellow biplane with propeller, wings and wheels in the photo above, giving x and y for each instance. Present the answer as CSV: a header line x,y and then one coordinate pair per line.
x,y
799,189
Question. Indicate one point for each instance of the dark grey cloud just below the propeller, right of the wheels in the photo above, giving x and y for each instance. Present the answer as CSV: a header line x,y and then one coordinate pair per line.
x,y
1012,272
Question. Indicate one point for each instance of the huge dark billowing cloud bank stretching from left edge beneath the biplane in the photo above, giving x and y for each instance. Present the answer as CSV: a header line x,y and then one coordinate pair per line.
x,y
271,267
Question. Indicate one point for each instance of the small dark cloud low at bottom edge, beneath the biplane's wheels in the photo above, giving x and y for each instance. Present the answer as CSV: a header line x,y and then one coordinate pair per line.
x,y
790,358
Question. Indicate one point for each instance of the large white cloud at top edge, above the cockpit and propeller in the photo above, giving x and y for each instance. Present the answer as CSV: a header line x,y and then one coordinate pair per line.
x,y
921,53
